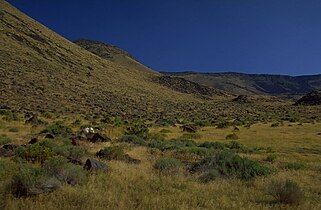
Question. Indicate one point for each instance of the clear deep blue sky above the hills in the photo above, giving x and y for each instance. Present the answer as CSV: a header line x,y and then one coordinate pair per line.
x,y
251,36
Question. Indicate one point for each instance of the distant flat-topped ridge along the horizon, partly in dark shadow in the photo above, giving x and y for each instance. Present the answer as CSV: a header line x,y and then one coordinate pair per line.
x,y
251,84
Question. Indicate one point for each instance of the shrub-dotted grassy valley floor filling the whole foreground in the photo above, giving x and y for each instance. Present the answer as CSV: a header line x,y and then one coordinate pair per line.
x,y
149,165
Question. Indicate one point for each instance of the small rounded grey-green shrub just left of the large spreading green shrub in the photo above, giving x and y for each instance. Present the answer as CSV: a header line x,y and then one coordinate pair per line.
x,y
168,165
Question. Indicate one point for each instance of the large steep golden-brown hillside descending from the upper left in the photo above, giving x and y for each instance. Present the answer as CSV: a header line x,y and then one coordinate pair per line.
x,y
41,70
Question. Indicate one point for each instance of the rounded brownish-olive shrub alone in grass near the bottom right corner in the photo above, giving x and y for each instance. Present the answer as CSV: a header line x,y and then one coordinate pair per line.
x,y
286,192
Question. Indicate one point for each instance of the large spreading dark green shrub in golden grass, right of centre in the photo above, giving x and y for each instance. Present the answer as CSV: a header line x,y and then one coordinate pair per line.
x,y
229,164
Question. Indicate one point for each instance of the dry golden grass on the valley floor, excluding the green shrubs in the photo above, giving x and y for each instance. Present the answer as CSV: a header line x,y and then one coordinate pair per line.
x,y
128,186
